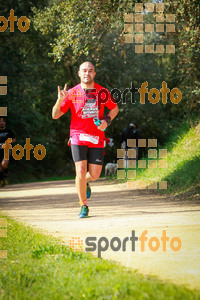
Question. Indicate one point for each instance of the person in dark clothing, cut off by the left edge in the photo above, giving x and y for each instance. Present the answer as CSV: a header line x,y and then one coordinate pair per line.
x,y
5,133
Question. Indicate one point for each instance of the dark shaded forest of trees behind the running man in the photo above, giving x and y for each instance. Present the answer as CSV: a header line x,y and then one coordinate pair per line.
x,y
65,33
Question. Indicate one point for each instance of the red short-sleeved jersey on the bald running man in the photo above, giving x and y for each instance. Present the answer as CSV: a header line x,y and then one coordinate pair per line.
x,y
86,105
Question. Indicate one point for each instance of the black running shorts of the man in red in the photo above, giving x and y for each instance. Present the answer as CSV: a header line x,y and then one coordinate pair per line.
x,y
92,155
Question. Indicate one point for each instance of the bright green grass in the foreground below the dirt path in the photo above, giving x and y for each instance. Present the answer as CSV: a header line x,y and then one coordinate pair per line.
x,y
42,267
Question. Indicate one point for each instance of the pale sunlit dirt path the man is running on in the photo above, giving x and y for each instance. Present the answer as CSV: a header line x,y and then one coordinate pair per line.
x,y
116,211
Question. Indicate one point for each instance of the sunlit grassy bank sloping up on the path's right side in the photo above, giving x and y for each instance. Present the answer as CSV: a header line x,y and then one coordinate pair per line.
x,y
183,158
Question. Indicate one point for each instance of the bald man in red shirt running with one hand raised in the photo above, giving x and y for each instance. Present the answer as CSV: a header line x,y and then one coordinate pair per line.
x,y
86,101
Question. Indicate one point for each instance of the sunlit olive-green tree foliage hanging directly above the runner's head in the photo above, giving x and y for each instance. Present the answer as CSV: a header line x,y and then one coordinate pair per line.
x,y
79,27
